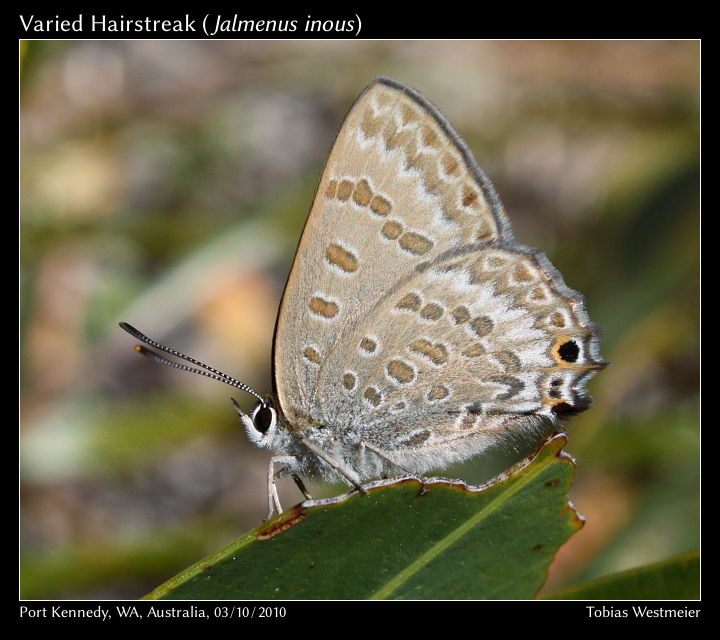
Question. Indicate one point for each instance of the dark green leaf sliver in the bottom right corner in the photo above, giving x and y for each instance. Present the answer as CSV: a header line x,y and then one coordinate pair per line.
x,y
675,579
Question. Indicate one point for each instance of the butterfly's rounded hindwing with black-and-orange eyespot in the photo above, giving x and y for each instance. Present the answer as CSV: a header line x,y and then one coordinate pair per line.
x,y
473,339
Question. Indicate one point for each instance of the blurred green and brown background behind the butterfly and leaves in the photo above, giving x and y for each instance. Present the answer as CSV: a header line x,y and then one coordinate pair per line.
x,y
166,184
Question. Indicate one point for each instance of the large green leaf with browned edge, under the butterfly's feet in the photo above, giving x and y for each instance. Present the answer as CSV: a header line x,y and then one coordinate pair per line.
x,y
404,539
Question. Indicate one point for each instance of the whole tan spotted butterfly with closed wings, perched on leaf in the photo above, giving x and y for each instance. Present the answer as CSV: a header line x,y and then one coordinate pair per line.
x,y
414,330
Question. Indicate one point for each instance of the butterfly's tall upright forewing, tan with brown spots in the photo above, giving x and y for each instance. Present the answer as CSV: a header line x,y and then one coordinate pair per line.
x,y
396,190
